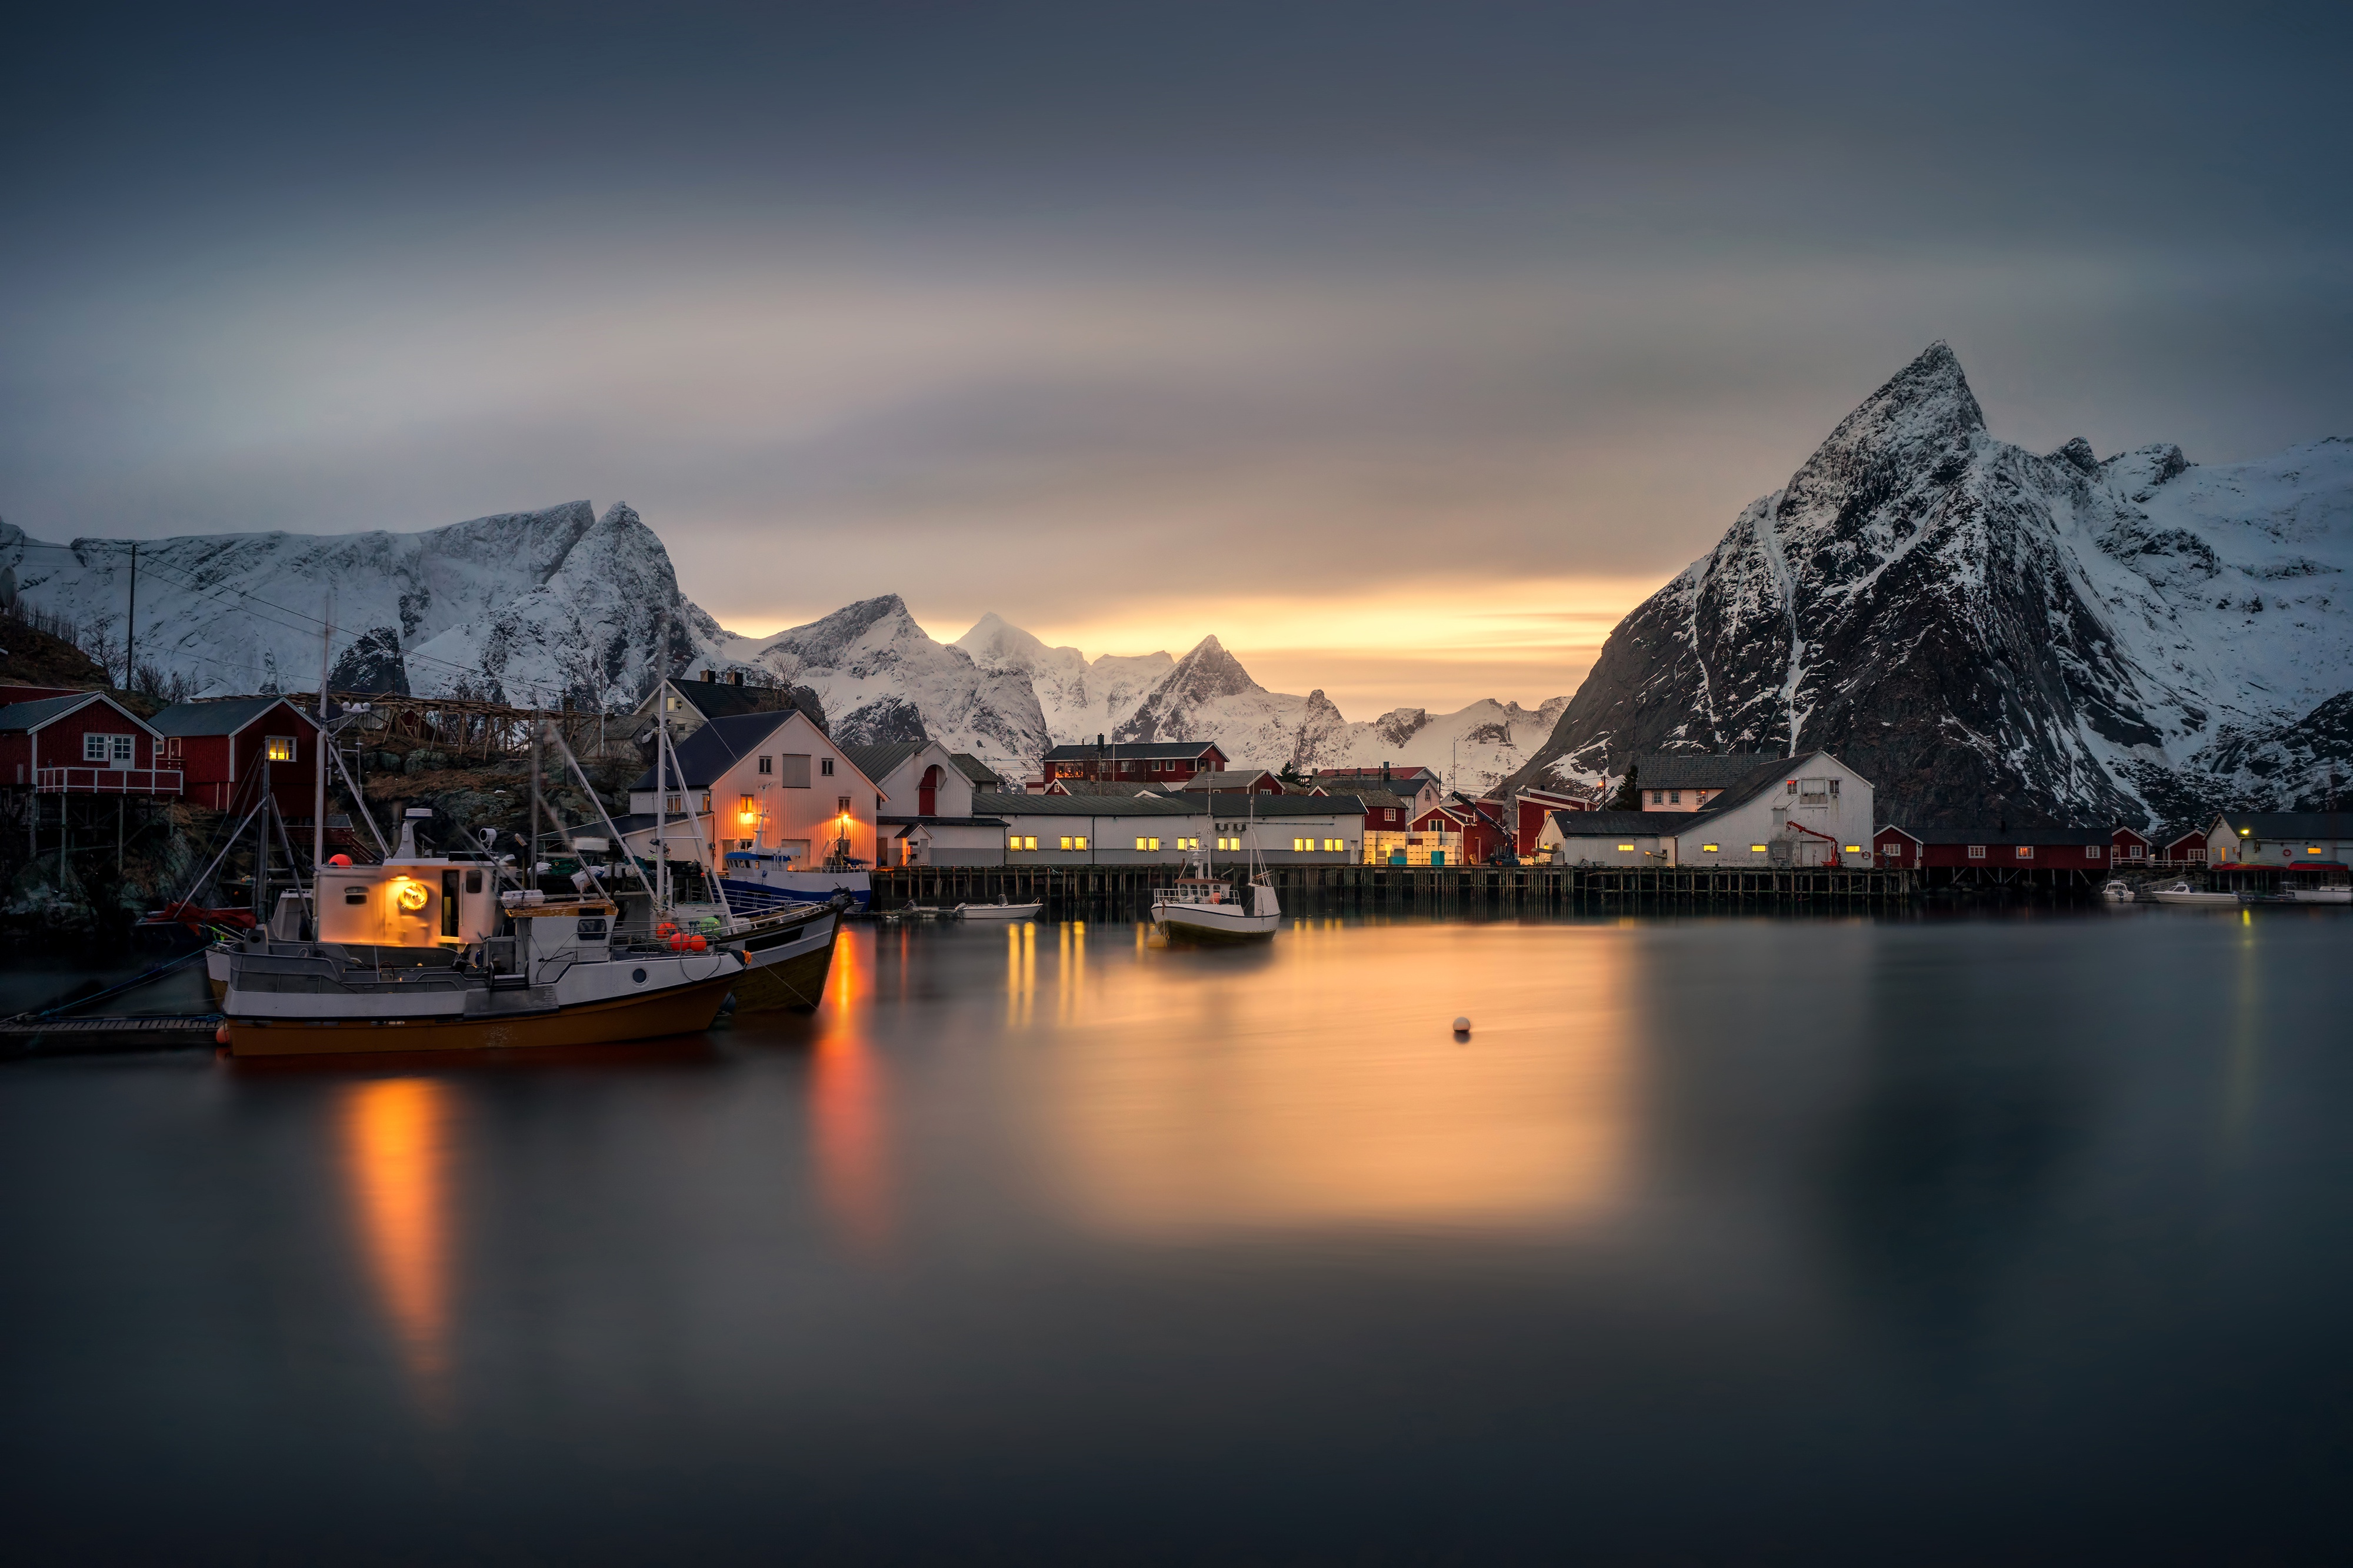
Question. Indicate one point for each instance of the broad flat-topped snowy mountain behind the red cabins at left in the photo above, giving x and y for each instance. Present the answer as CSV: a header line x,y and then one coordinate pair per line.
x,y
528,606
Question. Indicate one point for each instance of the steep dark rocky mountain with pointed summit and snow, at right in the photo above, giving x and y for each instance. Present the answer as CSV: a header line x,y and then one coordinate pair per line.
x,y
1987,632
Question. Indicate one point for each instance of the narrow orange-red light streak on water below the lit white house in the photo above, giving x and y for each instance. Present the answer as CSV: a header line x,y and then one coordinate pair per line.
x,y
846,1101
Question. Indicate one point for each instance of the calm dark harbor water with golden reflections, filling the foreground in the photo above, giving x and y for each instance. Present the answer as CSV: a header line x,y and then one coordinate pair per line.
x,y
2008,1240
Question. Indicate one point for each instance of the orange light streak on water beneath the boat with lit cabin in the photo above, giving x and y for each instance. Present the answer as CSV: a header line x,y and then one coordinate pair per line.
x,y
396,1152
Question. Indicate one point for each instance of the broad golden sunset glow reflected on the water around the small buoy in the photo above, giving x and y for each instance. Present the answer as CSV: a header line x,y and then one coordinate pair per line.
x,y
1319,1084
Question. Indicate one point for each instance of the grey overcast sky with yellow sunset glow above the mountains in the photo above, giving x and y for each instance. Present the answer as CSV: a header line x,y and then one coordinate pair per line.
x,y
1399,347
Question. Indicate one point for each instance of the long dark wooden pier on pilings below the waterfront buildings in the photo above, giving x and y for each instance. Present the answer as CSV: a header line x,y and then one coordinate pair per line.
x,y
1128,891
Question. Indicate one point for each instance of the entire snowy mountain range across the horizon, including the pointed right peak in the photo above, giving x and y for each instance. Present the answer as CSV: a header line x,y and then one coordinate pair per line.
x,y
1985,632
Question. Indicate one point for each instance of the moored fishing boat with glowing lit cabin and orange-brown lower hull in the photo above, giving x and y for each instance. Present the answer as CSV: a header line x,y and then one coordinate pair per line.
x,y
432,952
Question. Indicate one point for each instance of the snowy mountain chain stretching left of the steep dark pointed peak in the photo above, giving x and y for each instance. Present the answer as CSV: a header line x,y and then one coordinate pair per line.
x,y
564,604
